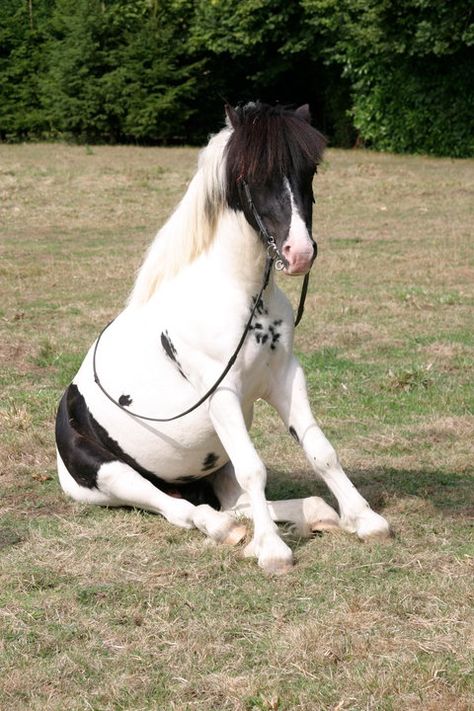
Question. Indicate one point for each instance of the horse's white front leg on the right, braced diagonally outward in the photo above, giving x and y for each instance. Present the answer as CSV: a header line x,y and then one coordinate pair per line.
x,y
289,397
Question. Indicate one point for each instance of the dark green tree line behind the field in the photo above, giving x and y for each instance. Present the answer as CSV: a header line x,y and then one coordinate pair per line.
x,y
396,75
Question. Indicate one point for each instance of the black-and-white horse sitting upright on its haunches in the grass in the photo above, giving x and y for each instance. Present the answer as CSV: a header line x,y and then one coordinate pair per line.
x,y
154,418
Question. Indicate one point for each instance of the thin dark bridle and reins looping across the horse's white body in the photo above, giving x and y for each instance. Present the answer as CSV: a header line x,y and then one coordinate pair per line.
x,y
274,258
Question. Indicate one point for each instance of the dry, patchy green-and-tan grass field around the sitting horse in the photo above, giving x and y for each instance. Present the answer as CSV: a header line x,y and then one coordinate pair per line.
x,y
115,609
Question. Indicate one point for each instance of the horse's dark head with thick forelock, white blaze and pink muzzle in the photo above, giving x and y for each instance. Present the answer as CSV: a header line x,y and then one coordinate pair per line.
x,y
275,152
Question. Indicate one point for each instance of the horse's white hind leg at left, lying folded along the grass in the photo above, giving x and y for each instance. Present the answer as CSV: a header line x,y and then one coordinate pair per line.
x,y
118,484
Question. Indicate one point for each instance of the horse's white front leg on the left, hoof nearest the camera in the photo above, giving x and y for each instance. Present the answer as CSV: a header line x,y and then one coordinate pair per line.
x,y
273,555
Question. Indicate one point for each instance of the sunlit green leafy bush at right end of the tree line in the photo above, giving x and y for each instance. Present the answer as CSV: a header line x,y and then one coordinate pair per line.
x,y
410,67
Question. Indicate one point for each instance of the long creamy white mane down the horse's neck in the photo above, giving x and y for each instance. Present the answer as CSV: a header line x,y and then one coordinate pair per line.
x,y
191,228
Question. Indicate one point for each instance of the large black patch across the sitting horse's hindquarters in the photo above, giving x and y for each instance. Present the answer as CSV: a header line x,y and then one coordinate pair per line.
x,y
84,445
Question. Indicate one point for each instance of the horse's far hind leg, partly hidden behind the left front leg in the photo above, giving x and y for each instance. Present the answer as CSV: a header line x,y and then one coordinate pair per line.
x,y
306,516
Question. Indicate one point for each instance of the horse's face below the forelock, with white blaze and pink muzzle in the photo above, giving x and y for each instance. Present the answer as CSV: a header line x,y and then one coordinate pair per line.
x,y
286,209
